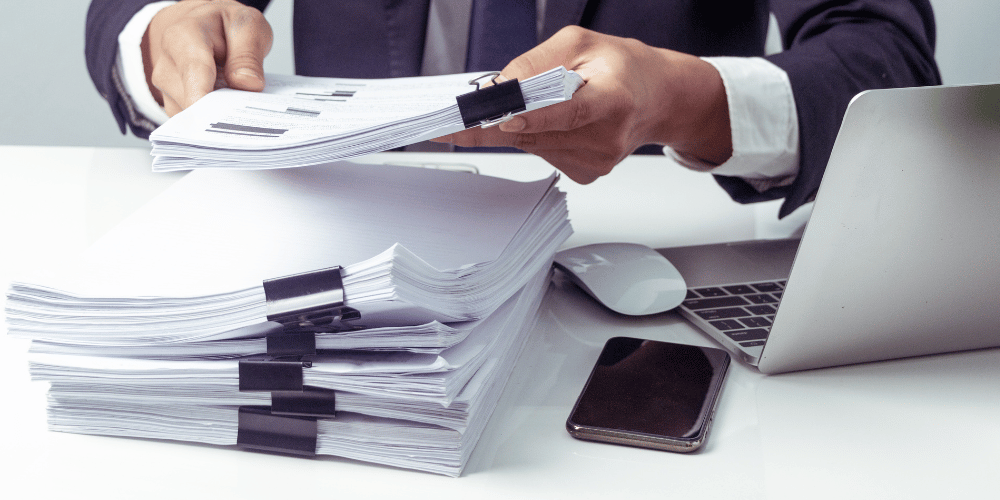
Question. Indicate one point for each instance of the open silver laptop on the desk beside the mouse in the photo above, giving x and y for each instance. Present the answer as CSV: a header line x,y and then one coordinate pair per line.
x,y
900,256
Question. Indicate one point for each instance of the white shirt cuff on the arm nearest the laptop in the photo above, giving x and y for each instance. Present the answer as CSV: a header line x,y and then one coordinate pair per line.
x,y
764,124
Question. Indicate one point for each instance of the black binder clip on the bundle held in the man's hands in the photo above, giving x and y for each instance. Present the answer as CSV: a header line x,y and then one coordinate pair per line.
x,y
493,105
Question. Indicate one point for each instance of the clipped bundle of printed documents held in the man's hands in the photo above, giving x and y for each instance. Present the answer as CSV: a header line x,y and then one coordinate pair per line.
x,y
298,121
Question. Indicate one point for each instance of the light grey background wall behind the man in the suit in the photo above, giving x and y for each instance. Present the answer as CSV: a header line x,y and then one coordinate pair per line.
x,y
46,97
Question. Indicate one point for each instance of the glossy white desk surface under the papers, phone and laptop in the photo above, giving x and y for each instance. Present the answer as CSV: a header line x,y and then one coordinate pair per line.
x,y
918,428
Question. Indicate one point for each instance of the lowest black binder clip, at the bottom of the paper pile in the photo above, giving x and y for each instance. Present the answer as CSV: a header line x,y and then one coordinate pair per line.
x,y
261,429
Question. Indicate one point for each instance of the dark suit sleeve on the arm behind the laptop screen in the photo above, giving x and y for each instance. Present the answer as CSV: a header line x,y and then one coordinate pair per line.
x,y
832,51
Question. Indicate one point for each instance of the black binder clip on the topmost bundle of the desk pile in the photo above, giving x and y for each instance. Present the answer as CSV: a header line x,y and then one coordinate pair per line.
x,y
309,302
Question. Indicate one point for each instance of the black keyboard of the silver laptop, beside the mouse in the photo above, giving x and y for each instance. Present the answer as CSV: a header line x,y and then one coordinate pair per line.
x,y
742,312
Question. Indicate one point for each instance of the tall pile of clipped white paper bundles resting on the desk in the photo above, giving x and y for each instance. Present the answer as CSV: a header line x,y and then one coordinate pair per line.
x,y
162,328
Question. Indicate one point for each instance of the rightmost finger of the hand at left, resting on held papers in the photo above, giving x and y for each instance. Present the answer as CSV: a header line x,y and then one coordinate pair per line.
x,y
248,41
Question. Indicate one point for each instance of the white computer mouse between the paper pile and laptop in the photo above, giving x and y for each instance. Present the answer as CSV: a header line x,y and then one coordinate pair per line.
x,y
627,278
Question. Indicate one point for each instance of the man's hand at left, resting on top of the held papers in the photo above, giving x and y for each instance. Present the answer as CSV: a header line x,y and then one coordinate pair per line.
x,y
196,46
